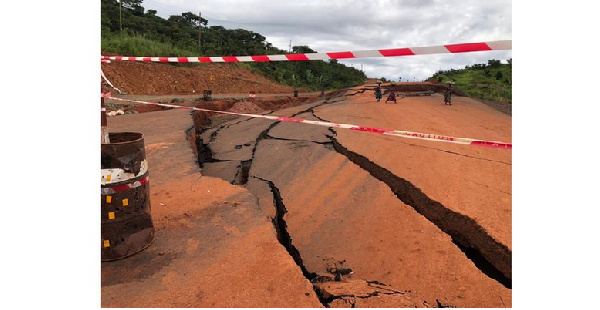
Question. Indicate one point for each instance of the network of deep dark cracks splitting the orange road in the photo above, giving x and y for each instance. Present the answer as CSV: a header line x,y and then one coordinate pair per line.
x,y
489,256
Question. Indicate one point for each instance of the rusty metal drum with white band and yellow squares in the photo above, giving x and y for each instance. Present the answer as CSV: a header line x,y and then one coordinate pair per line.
x,y
126,223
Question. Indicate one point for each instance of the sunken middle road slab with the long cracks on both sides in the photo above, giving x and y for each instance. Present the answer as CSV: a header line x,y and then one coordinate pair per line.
x,y
342,207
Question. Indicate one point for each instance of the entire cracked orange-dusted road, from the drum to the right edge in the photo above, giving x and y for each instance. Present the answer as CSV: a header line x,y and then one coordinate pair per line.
x,y
317,212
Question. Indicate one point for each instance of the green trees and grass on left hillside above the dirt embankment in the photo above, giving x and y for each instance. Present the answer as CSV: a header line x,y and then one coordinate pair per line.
x,y
137,32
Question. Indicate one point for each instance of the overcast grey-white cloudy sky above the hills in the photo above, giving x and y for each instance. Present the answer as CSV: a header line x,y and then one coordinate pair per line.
x,y
334,25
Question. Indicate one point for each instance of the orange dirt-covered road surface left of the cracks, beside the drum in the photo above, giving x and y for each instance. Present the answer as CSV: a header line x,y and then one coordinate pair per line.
x,y
214,247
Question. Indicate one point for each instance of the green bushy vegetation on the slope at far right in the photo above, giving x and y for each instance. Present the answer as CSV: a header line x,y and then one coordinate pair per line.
x,y
489,82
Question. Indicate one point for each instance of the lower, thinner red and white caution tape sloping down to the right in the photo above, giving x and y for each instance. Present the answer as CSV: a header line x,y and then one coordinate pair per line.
x,y
390,132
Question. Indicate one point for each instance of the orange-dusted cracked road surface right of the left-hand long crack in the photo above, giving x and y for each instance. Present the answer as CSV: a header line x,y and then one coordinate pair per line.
x,y
457,254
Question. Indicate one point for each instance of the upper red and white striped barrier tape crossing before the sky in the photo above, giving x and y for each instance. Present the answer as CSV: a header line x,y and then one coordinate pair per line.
x,y
393,52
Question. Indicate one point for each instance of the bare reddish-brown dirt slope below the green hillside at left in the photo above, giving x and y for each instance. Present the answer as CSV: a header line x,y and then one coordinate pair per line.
x,y
146,78
